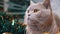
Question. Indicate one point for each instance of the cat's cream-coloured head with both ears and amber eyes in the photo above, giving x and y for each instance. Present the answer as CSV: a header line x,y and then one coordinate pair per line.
x,y
38,10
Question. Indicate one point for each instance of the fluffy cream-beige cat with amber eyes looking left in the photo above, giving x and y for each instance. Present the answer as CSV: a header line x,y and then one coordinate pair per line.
x,y
39,18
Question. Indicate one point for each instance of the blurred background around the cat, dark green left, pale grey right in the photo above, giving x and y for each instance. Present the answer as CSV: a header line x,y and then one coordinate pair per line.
x,y
12,14
